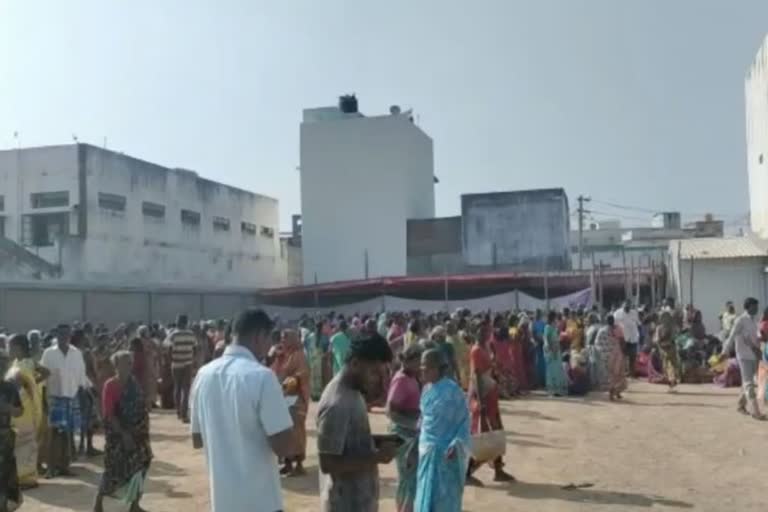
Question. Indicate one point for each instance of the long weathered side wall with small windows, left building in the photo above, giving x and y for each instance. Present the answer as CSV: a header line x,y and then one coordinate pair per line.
x,y
130,245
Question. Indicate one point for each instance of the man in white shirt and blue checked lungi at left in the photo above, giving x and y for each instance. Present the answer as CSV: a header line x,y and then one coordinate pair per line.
x,y
67,367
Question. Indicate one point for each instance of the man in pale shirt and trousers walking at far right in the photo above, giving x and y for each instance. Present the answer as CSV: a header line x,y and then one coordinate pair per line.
x,y
745,340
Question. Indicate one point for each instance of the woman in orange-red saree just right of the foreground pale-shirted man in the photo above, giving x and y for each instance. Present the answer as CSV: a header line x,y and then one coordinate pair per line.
x,y
292,371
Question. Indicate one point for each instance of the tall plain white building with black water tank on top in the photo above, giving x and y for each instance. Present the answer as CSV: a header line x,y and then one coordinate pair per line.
x,y
362,178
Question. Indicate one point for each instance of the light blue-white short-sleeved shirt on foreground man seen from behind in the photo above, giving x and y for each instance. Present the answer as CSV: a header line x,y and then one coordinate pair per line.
x,y
236,404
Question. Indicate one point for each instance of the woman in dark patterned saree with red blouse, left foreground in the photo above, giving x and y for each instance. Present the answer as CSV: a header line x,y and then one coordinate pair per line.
x,y
127,452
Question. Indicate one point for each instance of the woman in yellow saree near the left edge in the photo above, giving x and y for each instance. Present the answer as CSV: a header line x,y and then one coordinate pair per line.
x,y
28,376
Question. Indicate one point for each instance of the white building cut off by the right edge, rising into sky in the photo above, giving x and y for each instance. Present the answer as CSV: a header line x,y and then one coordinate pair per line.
x,y
756,92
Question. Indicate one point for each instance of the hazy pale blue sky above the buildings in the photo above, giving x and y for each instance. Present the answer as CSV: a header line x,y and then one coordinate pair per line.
x,y
637,103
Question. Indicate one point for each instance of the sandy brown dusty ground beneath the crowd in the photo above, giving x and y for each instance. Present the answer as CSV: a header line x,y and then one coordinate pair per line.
x,y
655,451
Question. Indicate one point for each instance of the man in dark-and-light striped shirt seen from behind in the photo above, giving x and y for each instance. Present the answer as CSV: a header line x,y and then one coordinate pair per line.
x,y
182,343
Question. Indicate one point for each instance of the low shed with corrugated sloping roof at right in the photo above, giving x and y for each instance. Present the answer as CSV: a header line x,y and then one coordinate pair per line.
x,y
723,269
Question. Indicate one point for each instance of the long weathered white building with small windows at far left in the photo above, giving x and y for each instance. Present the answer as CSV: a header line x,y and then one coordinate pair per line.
x,y
104,217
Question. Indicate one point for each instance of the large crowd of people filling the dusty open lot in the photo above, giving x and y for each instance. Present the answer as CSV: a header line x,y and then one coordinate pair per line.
x,y
246,386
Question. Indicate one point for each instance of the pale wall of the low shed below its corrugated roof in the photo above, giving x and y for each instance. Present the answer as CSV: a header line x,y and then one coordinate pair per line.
x,y
716,281
